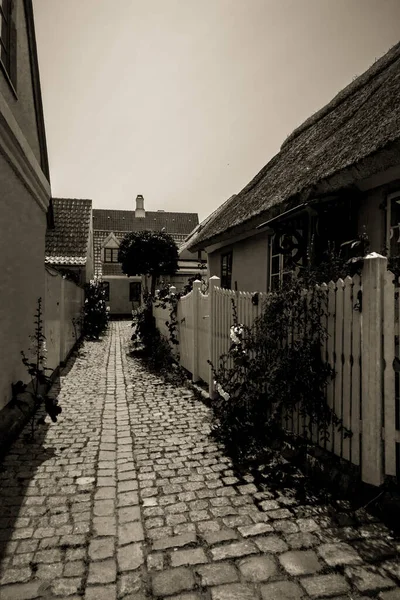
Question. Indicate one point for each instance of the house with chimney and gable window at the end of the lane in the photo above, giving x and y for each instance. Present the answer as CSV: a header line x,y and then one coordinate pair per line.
x,y
110,226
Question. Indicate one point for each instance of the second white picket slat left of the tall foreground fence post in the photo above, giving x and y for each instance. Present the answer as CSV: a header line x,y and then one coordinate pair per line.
x,y
346,388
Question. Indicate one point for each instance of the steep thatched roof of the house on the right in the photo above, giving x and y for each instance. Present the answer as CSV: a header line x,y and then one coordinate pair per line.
x,y
359,122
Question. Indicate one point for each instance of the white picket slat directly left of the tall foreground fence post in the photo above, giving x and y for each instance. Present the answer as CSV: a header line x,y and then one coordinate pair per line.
x,y
355,374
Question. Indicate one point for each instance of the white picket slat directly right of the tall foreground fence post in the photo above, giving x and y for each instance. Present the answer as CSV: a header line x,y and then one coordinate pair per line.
x,y
389,397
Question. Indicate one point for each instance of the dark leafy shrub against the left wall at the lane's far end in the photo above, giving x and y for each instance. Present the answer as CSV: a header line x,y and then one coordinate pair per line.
x,y
95,315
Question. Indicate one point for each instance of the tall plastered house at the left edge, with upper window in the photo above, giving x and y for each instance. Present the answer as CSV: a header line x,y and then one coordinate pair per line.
x,y
25,195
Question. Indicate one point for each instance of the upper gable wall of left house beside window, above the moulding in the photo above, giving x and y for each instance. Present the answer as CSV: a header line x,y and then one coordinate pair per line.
x,y
22,106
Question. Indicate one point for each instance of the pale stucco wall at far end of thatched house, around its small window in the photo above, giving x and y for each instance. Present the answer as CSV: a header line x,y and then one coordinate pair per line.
x,y
249,263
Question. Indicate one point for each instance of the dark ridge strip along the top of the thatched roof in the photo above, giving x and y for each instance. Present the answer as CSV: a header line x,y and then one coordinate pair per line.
x,y
373,71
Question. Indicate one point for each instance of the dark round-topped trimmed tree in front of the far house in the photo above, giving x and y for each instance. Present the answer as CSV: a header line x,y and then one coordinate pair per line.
x,y
148,253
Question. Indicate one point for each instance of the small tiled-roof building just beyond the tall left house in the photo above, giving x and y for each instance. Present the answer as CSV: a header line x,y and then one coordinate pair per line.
x,y
69,245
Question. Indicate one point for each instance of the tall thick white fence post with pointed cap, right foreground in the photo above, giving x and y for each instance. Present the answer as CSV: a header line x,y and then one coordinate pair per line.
x,y
372,365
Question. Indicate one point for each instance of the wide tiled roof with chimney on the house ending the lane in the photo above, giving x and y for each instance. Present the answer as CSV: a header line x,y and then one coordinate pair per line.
x,y
125,220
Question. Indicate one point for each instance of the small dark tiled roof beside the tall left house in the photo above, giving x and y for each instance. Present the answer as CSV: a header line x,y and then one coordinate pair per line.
x,y
67,243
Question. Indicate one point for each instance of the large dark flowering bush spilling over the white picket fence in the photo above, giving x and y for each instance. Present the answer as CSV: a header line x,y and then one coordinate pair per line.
x,y
276,366
